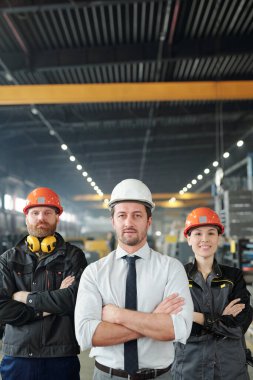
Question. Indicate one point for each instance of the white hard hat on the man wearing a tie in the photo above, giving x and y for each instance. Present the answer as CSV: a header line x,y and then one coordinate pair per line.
x,y
131,190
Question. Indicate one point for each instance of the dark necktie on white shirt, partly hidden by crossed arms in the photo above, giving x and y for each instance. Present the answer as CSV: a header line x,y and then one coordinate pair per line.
x,y
130,348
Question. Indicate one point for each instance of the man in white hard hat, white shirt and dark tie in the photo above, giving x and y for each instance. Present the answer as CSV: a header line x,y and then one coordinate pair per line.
x,y
133,303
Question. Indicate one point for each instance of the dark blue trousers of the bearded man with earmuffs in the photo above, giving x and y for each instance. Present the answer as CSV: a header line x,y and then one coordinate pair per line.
x,y
64,368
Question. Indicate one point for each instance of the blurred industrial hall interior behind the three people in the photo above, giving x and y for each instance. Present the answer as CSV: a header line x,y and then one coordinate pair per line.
x,y
93,92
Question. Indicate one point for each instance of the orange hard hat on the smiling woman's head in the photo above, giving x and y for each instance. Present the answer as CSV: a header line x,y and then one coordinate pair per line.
x,y
202,216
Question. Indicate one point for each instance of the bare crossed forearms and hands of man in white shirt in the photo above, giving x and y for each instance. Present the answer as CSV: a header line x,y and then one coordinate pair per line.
x,y
120,325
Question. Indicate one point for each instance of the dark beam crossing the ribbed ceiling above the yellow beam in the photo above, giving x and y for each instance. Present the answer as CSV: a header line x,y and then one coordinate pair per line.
x,y
127,54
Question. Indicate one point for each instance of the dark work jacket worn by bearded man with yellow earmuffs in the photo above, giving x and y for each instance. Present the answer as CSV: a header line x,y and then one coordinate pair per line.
x,y
27,332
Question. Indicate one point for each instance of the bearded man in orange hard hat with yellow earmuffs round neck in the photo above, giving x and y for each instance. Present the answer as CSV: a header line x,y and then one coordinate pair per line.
x,y
39,278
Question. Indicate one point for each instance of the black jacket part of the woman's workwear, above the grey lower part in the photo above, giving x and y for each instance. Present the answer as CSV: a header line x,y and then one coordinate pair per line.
x,y
227,285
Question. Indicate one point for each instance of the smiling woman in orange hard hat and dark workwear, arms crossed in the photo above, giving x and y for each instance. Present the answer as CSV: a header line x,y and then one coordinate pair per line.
x,y
222,311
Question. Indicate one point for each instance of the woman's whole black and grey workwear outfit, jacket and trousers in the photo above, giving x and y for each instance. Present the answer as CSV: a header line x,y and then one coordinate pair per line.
x,y
215,351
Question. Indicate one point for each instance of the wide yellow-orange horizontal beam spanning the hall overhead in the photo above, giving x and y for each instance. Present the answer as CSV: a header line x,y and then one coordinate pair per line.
x,y
125,92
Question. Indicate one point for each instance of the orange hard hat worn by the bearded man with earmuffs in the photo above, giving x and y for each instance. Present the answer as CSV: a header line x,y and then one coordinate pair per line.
x,y
43,196
